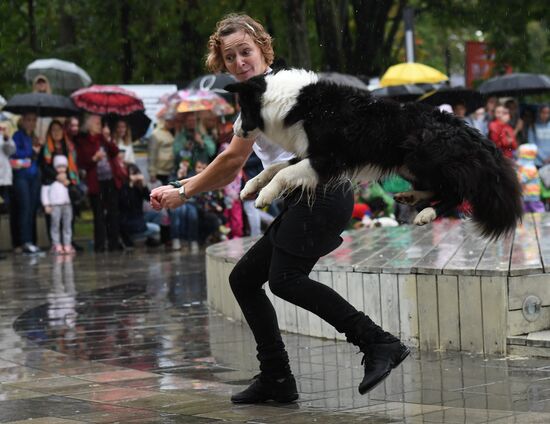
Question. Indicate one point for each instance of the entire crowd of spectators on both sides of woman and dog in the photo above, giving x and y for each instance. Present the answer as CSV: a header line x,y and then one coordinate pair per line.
x,y
59,167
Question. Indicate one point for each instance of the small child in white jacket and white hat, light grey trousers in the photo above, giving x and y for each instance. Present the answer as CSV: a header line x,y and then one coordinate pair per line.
x,y
57,203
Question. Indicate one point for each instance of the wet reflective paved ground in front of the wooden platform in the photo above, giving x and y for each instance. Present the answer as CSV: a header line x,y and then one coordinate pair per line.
x,y
128,338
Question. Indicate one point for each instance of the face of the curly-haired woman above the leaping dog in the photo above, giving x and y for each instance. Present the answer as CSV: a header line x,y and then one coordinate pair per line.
x,y
242,56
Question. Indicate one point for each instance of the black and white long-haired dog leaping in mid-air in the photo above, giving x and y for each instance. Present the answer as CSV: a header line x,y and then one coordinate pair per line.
x,y
339,132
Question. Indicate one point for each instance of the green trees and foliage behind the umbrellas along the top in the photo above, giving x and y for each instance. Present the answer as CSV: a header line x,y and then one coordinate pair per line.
x,y
166,39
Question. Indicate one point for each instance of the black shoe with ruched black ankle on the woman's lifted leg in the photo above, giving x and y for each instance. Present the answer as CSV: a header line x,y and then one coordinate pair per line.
x,y
382,352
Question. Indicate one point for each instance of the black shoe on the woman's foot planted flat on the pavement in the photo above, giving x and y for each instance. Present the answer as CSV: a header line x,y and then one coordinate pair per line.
x,y
265,388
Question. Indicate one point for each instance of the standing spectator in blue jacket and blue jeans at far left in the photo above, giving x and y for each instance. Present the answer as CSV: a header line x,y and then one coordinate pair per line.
x,y
26,184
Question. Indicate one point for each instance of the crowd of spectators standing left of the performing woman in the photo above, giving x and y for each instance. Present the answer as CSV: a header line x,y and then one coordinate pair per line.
x,y
92,165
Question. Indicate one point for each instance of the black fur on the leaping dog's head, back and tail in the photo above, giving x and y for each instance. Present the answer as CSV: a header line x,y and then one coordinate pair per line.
x,y
348,129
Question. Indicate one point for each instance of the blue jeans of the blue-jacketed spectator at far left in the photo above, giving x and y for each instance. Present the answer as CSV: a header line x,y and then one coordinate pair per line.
x,y
26,191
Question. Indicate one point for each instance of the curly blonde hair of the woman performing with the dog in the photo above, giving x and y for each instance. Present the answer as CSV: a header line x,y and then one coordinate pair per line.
x,y
230,24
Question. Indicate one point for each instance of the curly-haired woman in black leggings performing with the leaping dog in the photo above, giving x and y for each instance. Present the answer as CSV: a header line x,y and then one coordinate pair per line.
x,y
285,255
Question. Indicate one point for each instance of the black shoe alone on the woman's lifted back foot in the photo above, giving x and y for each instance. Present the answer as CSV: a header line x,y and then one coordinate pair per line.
x,y
379,360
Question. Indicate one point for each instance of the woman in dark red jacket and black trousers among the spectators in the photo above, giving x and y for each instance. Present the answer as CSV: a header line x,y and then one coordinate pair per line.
x,y
104,177
